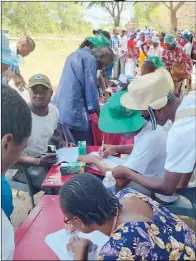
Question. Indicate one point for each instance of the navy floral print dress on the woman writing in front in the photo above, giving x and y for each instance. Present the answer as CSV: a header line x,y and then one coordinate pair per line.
x,y
165,238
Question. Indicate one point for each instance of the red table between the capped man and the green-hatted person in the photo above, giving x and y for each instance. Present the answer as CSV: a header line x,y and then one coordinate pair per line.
x,y
54,179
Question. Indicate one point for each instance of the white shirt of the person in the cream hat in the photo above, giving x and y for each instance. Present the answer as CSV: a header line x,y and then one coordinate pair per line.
x,y
181,149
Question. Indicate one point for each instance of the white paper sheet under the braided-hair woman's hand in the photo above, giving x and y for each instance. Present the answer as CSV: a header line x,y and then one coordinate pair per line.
x,y
57,242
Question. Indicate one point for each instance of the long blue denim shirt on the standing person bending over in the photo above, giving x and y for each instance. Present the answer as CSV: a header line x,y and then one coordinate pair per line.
x,y
77,93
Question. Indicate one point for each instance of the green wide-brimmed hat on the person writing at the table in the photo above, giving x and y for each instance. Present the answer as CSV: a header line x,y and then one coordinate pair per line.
x,y
114,118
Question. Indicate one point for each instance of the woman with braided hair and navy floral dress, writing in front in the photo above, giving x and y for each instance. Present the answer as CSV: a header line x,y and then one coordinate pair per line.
x,y
138,227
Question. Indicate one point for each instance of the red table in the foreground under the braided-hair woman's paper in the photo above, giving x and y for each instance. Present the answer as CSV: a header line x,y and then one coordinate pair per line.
x,y
29,238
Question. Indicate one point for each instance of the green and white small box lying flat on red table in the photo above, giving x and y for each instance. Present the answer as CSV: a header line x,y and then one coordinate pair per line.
x,y
73,168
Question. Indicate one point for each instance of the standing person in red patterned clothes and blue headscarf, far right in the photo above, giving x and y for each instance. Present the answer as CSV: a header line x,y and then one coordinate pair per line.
x,y
177,62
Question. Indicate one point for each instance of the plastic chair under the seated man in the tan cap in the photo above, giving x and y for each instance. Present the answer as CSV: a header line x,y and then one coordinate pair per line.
x,y
21,186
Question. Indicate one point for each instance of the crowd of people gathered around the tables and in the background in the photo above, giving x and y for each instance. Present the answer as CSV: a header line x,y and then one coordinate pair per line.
x,y
150,108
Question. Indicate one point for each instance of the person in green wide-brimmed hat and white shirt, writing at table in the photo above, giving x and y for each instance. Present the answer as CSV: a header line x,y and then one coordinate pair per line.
x,y
148,153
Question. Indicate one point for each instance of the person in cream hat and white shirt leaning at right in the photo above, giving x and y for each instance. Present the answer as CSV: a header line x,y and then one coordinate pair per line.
x,y
151,94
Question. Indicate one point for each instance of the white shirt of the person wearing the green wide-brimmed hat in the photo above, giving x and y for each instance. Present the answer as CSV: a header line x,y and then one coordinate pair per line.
x,y
149,152
